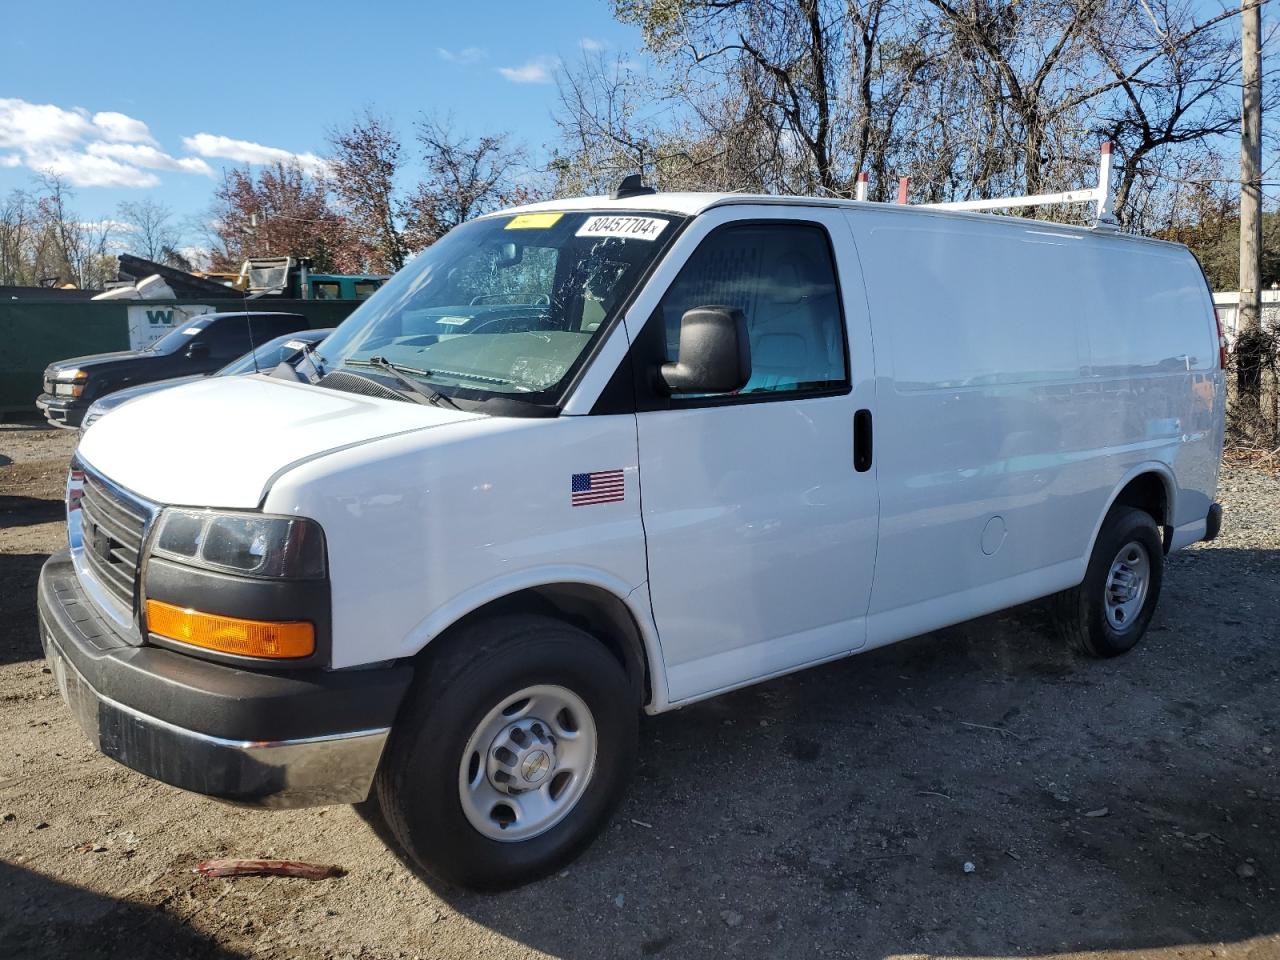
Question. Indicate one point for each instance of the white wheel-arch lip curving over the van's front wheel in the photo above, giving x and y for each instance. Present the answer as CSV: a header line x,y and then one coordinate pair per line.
x,y
634,598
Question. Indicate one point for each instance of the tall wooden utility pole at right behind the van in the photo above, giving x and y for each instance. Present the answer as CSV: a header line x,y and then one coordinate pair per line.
x,y
1250,318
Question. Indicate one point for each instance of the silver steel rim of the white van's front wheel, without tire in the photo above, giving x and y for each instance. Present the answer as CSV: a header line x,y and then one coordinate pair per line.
x,y
528,764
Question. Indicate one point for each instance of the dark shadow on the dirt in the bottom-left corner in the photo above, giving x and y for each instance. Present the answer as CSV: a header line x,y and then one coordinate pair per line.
x,y
43,917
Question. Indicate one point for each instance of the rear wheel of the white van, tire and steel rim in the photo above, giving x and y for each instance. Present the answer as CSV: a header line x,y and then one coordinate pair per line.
x,y
1110,611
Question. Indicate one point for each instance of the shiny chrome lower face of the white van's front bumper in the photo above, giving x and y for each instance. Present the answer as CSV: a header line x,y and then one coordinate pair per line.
x,y
331,770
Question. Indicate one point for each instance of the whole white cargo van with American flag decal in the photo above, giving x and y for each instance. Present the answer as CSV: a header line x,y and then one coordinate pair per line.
x,y
598,456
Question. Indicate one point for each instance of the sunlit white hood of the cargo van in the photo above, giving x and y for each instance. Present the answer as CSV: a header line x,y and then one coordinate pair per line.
x,y
222,441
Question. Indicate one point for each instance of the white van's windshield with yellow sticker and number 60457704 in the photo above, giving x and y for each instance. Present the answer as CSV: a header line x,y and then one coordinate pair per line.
x,y
505,305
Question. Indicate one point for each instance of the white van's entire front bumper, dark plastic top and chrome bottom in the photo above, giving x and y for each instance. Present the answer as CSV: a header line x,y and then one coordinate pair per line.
x,y
259,739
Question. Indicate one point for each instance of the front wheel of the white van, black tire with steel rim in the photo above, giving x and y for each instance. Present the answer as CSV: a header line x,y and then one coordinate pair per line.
x,y
513,752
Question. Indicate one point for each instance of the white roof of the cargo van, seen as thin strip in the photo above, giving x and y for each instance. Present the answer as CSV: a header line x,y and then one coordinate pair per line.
x,y
693,204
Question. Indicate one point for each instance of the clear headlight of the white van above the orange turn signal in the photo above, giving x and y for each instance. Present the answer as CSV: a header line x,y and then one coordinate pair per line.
x,y
250,545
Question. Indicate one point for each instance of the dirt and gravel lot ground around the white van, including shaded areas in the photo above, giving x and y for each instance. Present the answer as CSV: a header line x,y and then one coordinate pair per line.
x,y
1121,810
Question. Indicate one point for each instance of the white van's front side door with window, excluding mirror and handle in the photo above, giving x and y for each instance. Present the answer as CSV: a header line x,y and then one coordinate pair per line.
x,y
761,533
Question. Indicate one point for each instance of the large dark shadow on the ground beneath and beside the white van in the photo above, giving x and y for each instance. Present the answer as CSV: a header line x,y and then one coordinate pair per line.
x,y
1104,806
